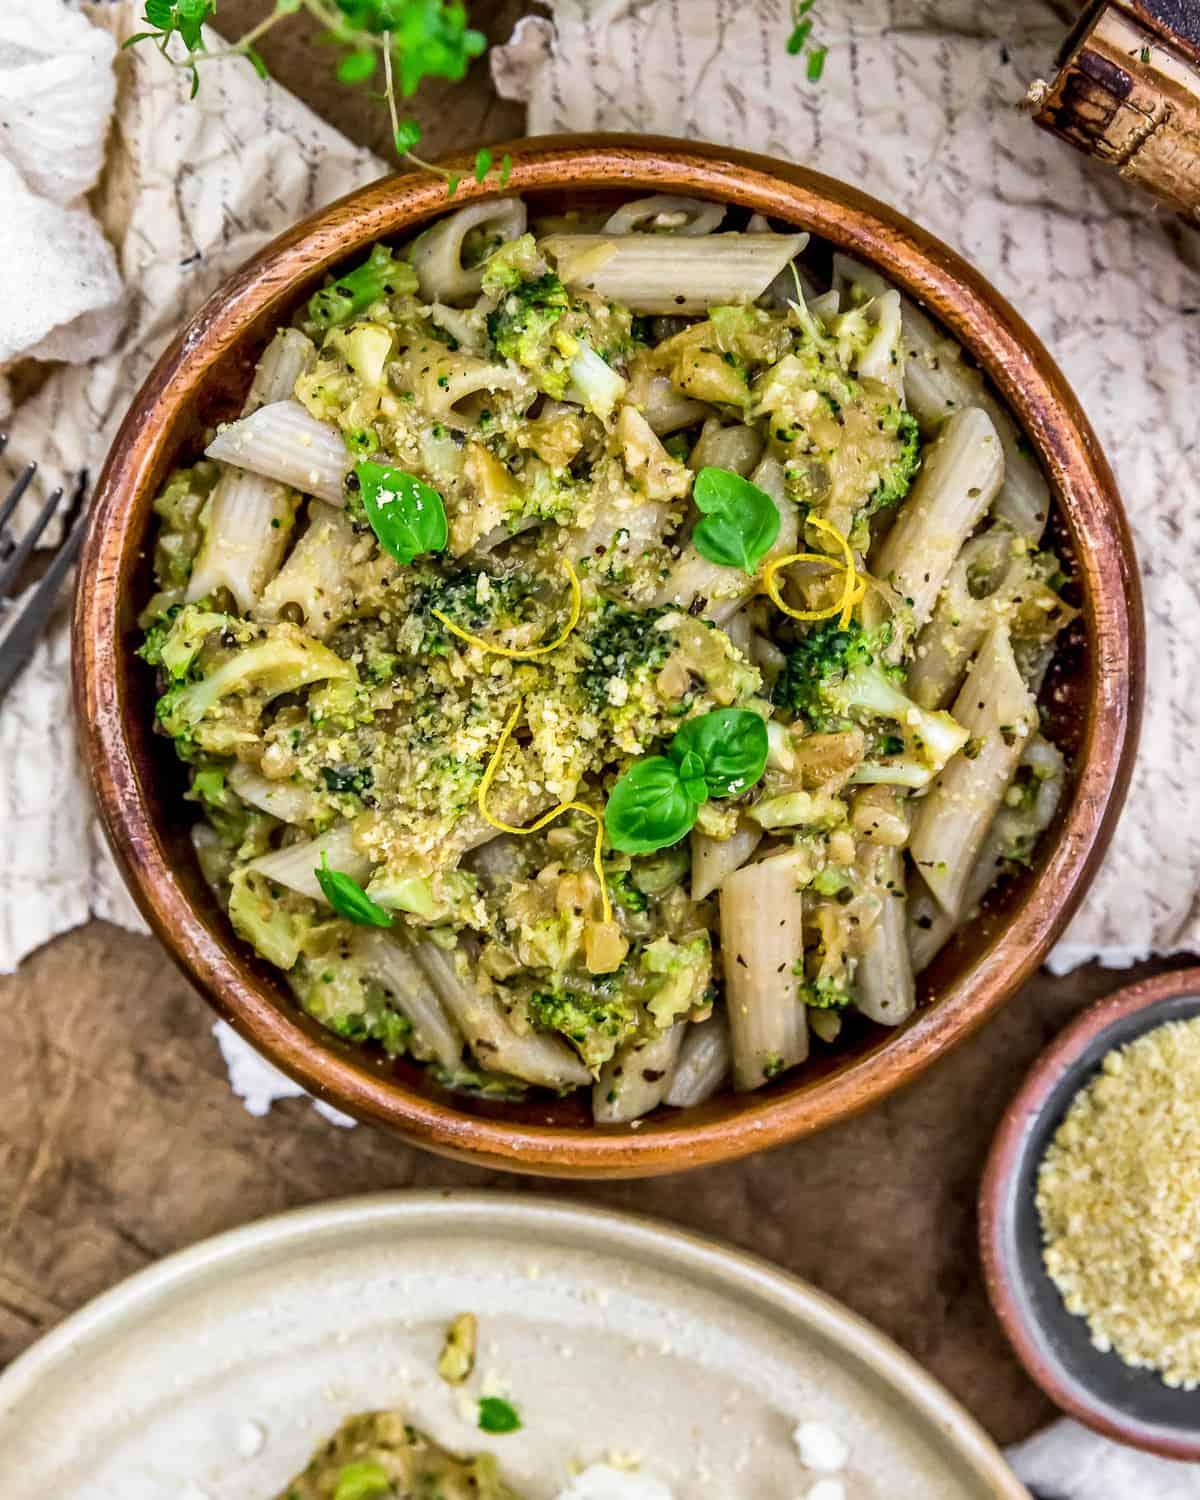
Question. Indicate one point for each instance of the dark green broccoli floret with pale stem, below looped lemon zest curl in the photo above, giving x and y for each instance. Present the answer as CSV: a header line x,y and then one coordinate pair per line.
x,y
835,677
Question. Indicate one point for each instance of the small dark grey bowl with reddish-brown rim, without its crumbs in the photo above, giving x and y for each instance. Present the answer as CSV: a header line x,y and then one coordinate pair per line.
x,y
1132,1406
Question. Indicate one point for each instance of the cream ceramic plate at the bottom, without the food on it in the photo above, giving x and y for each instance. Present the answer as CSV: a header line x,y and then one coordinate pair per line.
x,y
215,1375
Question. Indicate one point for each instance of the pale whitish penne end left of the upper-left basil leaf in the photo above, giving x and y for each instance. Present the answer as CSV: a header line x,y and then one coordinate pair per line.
x,y
286,443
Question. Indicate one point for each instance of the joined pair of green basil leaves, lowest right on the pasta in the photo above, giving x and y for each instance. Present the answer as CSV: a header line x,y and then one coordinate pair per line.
x,y
655,802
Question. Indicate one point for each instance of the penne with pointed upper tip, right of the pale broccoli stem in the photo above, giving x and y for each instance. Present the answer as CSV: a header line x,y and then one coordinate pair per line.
x,y
953,818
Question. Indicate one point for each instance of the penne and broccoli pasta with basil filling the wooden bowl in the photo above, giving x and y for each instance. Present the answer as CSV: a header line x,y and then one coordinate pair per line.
x,y
604,658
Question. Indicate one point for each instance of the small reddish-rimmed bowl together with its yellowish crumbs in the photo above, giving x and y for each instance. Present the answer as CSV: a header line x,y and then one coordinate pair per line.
x,y
1085,1211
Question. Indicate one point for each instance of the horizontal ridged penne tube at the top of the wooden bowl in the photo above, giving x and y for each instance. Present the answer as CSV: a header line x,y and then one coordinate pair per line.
x,y
659,274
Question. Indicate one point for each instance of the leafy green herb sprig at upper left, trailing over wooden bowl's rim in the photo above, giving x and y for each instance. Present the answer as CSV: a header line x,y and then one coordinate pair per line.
x,y
409,40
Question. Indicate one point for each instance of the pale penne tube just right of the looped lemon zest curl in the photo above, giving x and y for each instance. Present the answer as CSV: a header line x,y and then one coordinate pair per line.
x,y
958,482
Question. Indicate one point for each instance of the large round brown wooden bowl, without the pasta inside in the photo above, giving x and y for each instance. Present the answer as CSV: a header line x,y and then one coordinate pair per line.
x,y
202,379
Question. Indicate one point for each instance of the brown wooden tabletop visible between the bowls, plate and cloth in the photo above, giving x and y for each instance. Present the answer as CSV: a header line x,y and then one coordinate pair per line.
x,y
122,1142
